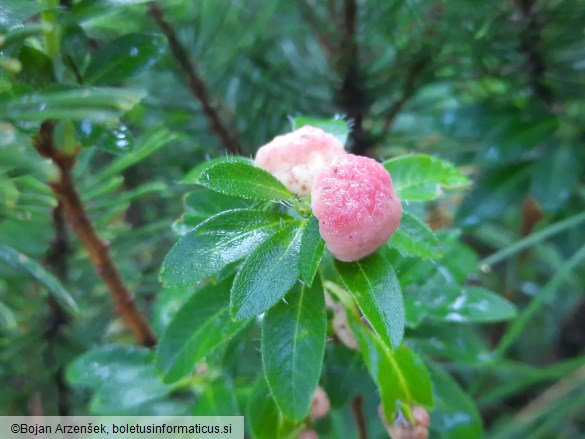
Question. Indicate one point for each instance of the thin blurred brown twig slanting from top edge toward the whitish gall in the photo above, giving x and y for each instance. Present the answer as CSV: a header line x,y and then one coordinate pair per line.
x,y
195,82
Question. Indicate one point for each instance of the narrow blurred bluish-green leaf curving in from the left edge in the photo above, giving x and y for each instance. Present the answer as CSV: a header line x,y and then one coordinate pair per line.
x,y
20,261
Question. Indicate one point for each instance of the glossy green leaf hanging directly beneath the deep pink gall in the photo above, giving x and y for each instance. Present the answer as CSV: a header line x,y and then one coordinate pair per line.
x,y
374,285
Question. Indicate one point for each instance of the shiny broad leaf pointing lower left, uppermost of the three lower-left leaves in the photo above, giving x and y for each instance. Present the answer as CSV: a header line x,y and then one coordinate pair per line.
x,y
217,242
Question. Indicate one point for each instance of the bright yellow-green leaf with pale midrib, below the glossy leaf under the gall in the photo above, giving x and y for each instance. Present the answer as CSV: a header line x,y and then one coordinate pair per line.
x,y
400,375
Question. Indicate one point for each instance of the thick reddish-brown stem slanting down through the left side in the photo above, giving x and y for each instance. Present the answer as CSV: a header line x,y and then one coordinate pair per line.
x,y
97,249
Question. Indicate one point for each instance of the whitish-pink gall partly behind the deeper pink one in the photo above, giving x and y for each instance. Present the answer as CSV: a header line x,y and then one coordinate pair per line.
x,y
296,158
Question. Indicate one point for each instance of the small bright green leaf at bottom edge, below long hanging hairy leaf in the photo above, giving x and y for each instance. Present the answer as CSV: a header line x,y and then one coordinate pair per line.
x,y
263,413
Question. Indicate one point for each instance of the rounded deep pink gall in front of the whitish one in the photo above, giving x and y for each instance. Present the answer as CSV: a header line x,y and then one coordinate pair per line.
x,y
356,205
